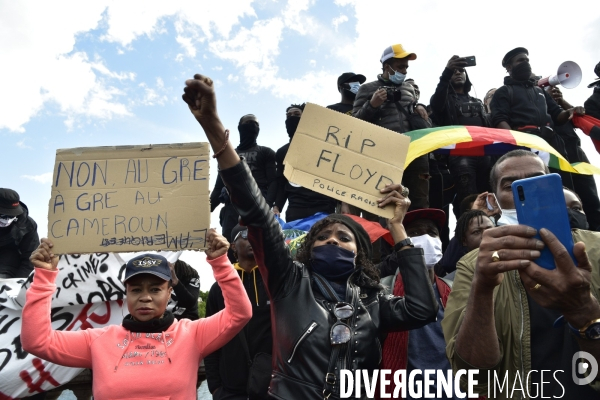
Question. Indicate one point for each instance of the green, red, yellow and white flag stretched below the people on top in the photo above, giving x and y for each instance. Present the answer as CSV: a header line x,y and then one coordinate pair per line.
x,y
480,141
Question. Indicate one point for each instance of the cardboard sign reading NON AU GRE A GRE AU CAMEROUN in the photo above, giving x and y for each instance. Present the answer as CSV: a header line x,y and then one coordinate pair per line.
x,y
130,198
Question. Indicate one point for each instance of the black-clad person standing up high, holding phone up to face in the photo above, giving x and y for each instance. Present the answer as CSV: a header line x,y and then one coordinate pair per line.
x,y
452,105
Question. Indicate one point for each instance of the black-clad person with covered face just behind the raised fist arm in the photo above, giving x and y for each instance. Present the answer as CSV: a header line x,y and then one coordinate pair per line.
x,y
260,160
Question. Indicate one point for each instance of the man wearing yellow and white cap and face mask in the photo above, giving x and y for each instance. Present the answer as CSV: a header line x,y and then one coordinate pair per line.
x,y
389,102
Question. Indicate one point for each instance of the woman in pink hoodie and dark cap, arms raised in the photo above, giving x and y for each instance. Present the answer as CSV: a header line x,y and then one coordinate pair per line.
x,y
151,355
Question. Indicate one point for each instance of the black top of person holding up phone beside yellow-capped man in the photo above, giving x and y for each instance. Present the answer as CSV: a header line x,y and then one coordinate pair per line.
x,y
446,104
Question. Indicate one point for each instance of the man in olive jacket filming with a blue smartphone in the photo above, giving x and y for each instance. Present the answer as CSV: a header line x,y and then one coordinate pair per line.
x,y
509,315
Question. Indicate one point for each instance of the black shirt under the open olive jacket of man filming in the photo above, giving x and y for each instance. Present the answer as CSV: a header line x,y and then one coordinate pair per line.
x,y
553,349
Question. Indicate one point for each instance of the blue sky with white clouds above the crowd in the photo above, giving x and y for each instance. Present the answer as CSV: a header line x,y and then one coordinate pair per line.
x,y
100,73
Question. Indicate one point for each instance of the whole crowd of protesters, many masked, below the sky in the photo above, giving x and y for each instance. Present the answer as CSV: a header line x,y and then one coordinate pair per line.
x,y
342,301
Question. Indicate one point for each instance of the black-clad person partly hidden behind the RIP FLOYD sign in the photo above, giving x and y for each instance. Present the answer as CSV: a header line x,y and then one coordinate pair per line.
x,y
302,202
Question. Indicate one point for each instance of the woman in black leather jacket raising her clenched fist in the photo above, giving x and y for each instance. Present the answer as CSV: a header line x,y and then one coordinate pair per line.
x,y
328,309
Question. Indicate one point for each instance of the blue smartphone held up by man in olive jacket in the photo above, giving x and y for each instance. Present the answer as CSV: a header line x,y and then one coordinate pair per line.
x,y
540,203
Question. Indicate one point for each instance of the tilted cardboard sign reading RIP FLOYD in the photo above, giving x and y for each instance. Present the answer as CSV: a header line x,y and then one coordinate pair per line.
x,y
345,158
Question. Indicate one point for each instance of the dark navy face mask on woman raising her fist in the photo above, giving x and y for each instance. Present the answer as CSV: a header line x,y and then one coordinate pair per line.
x,y
332,262
